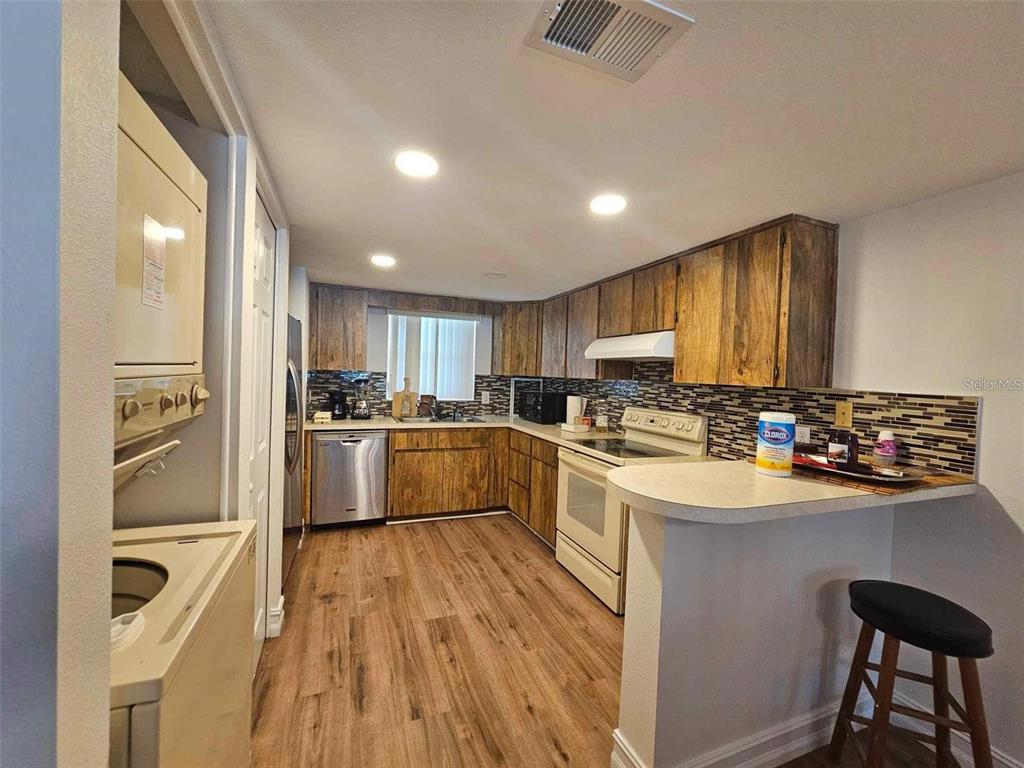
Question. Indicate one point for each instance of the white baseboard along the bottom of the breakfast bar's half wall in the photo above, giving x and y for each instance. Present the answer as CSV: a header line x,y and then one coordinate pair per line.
x,y
766,749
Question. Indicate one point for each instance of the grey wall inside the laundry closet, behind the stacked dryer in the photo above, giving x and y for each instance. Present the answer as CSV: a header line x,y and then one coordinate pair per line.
x,y
158,501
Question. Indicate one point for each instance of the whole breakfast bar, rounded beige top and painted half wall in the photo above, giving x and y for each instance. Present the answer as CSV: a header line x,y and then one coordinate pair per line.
x,y
739,634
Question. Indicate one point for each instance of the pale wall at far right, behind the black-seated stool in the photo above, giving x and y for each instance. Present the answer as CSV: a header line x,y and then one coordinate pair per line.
x,y
930,296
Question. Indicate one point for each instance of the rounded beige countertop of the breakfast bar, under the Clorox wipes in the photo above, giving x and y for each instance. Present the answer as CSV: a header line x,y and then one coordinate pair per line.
x,y
732,492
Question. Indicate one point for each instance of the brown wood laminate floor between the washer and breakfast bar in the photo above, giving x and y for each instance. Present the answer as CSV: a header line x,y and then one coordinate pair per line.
x,y
455,643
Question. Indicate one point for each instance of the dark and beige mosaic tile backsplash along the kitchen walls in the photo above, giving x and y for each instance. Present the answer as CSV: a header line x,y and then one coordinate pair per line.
x,y
935,432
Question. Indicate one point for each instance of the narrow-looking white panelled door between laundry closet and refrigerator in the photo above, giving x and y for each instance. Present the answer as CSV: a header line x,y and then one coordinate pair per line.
x,y
265,268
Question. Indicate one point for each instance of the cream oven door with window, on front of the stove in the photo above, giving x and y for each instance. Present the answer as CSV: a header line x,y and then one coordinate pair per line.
x,y
586,514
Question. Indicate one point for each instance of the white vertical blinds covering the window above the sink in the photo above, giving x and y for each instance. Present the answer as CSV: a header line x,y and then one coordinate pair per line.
x,y
438,355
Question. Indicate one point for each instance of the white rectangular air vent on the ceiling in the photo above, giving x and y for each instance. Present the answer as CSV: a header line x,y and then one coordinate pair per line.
x,y
623,39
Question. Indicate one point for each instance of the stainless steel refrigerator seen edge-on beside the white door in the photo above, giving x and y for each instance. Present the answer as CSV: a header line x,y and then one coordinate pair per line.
x,y
294,420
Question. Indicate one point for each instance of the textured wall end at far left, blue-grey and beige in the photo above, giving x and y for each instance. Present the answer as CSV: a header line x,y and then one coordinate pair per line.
x,y
60,158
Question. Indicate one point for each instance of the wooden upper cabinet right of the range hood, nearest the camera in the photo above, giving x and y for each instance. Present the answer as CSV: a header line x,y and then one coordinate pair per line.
x,y
759,310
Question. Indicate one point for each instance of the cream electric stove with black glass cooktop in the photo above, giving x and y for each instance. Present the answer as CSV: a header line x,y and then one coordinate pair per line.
x,y
591,542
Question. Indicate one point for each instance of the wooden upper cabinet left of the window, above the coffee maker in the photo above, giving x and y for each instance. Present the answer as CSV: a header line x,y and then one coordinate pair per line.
x,y
338,329
